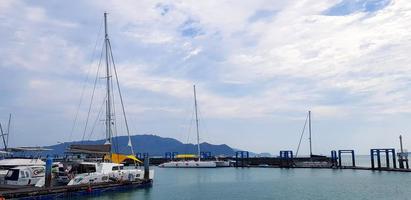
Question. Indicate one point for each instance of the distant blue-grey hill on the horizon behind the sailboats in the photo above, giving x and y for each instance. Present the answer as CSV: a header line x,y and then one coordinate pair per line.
x,y
152,144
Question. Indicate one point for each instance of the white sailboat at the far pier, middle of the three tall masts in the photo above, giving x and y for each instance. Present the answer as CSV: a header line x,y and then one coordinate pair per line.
x,y
192,163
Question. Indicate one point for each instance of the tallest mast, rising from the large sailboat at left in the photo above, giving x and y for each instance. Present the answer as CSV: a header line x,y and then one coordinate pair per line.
x,y
108,81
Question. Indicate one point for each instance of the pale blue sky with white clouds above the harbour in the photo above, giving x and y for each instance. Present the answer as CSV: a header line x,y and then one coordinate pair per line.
x,y
258,67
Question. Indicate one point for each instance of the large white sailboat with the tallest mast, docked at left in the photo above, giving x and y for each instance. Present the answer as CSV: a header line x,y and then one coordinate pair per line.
x,y
113,170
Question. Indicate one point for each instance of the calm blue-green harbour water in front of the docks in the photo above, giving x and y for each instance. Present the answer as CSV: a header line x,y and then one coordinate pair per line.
x,y
270,183
